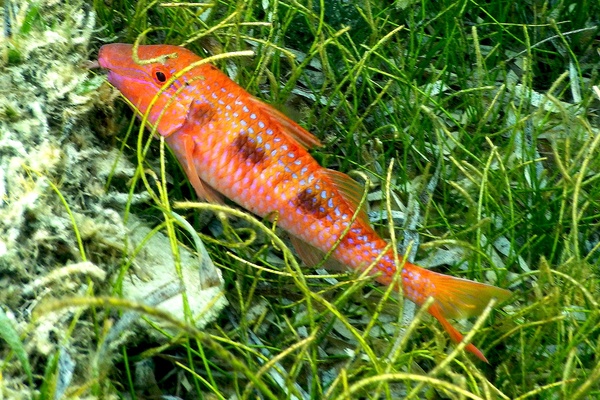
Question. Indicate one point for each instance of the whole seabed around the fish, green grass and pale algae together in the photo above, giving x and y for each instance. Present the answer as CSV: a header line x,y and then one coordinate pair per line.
x,y
474,127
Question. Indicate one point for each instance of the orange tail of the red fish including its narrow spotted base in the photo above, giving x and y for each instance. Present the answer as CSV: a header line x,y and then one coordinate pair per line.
x,y
454,298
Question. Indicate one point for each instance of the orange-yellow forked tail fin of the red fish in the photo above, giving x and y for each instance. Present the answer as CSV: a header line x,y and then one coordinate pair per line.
x,y
460,298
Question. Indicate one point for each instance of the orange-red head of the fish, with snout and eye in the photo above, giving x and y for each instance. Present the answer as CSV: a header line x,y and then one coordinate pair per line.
x,y
143,80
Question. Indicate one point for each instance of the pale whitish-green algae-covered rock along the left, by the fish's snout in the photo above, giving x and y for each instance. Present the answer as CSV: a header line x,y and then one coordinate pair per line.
x,y
62,228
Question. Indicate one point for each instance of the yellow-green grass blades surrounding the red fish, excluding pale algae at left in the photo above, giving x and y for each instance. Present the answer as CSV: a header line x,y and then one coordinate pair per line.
x,y
476,122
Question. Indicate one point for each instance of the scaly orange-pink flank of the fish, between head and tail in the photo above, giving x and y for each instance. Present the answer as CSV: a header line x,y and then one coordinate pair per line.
x,y
279,177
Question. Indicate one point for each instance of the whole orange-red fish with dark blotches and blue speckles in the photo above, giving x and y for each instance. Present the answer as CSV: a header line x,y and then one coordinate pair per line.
x,y
233,145
